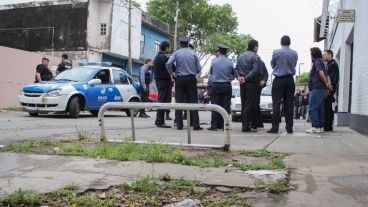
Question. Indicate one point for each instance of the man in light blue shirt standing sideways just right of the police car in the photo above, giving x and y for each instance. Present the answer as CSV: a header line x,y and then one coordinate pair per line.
x,y
145,79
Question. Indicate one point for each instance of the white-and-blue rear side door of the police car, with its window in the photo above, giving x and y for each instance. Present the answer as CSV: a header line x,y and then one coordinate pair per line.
x,y
124,86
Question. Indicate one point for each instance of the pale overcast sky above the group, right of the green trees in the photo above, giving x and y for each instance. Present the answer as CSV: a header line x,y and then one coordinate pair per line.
x,y
268,20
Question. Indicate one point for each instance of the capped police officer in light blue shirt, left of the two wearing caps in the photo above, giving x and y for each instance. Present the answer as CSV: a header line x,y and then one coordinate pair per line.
x,y
187,68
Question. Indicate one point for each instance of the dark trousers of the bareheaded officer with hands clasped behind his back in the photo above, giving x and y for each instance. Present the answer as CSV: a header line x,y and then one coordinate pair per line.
x,y
248,94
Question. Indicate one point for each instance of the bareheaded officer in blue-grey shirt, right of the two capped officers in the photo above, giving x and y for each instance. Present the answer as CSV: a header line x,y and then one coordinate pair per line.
x,y
247,69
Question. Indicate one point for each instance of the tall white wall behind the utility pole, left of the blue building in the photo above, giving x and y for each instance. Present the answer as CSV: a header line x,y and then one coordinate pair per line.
x,y
119,36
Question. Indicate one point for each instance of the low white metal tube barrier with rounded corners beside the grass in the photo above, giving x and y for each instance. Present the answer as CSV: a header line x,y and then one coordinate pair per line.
x,y
165,106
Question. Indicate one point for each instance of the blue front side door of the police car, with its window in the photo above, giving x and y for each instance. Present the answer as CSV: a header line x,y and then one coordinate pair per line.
x,y
98,95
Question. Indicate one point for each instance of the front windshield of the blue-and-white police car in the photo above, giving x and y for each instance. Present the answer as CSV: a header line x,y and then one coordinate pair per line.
x,y
80,74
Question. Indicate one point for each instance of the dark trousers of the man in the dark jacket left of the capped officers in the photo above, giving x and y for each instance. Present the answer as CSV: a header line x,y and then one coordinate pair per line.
x,y
164,88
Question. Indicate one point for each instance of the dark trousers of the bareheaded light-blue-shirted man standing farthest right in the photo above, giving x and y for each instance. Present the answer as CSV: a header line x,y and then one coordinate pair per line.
x,y
283,89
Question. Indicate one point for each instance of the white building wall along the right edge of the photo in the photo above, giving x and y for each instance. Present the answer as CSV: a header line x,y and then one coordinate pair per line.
x,y
347,33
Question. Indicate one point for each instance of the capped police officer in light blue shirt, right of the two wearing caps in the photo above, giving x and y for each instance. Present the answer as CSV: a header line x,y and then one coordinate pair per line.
x,y
222,73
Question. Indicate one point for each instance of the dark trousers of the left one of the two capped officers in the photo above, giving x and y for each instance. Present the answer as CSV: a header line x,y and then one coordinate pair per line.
x,y
186,92
